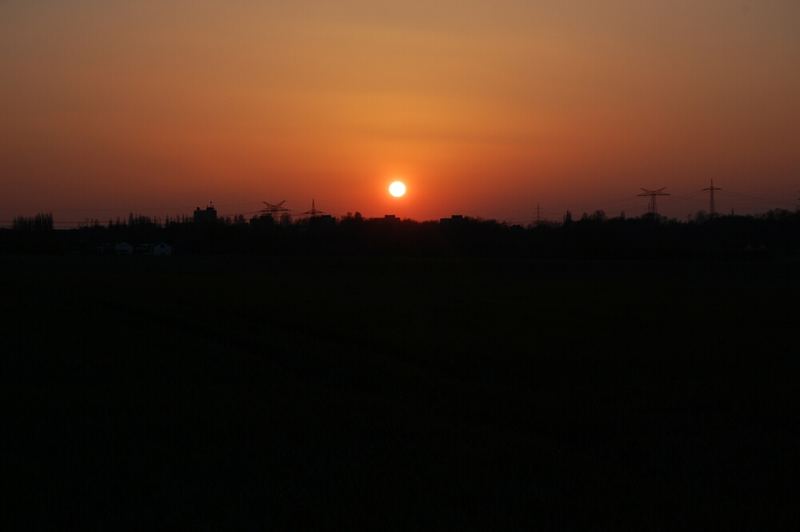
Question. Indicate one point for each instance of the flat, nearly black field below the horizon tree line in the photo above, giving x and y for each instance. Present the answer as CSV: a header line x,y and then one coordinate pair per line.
x,y
236,394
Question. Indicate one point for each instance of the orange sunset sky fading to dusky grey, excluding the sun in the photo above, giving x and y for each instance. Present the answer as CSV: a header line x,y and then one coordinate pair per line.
x,y
484,108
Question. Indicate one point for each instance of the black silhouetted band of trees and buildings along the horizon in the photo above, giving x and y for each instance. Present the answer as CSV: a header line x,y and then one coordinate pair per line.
x,y
773,234
